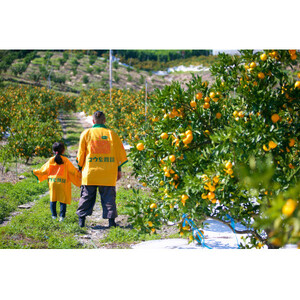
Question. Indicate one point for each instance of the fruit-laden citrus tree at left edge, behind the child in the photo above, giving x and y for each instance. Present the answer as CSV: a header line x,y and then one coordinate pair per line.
x,y
28,115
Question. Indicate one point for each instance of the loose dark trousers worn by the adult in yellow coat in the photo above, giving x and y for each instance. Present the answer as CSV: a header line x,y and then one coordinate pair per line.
x,y
88,200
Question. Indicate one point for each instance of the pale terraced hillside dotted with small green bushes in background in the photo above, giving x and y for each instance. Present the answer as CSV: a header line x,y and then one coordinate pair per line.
x,y
72,71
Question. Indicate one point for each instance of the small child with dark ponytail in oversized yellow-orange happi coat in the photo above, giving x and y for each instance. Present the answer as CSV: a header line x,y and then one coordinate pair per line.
x,y
60,172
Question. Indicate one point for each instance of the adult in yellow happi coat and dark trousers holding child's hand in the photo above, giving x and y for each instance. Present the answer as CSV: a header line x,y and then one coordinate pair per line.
x,y
100,157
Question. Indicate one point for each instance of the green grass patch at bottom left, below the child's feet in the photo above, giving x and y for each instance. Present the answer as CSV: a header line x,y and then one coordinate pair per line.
x,y
35,229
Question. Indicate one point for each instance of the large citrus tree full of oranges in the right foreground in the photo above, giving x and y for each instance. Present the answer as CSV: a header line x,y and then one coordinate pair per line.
x,y
228,150
